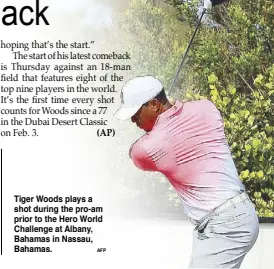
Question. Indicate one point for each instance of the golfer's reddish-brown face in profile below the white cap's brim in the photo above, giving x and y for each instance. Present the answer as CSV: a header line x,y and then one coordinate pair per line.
x,y
146,116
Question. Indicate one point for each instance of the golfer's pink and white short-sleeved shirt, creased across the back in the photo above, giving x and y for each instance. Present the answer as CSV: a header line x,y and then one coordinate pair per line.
x,y
188,145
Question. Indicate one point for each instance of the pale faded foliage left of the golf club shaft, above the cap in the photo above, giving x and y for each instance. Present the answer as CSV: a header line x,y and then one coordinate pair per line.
x,y
154,37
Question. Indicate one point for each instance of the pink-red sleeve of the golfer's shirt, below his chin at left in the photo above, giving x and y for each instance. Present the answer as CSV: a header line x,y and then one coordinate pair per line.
x,y
141,158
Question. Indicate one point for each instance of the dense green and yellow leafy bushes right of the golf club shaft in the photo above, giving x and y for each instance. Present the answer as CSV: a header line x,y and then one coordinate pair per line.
x,y
233,66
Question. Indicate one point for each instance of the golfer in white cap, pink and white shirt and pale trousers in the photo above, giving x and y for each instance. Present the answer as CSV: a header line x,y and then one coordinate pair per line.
x,y
186,143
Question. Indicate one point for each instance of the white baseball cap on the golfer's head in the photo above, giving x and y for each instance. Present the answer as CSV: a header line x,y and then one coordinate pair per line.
x,y
135,93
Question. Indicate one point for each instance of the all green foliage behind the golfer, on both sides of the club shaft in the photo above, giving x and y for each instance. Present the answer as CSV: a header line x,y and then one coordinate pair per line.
x,y
230,62
